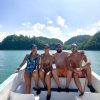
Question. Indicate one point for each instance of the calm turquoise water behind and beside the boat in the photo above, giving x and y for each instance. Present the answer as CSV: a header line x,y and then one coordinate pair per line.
x,y
10,60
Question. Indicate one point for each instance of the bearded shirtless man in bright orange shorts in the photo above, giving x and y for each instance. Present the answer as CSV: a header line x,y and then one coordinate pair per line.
x,y
60,68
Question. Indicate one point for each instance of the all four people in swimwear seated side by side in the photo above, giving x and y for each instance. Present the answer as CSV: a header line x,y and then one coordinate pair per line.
x,y
60,64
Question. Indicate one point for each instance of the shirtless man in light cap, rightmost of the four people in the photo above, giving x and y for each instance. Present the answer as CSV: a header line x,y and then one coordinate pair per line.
x,y
76,59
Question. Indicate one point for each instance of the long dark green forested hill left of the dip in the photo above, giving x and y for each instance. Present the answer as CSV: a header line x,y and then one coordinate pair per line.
x,y
14,42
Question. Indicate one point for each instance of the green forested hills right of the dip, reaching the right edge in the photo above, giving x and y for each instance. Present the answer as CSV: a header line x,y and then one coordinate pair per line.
x,y
85,42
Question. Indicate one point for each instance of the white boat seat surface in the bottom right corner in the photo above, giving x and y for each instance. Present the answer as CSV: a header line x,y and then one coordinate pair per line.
x,y
89,96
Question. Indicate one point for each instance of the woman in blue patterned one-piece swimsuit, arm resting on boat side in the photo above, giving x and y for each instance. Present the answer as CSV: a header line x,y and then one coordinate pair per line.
x,y
31,70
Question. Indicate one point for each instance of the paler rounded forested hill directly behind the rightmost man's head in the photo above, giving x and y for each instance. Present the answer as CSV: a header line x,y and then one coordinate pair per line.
x,y
80,40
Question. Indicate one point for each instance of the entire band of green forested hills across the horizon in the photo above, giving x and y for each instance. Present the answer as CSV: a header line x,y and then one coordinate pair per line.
x,y
14,42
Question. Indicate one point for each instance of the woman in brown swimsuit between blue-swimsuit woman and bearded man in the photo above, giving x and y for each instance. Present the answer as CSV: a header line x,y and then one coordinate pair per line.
x,y
45,70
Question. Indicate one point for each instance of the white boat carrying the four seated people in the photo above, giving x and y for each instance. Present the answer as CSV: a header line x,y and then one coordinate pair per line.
x,y
13,88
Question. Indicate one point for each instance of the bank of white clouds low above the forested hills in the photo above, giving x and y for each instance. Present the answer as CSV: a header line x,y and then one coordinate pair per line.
x,y
52,30
